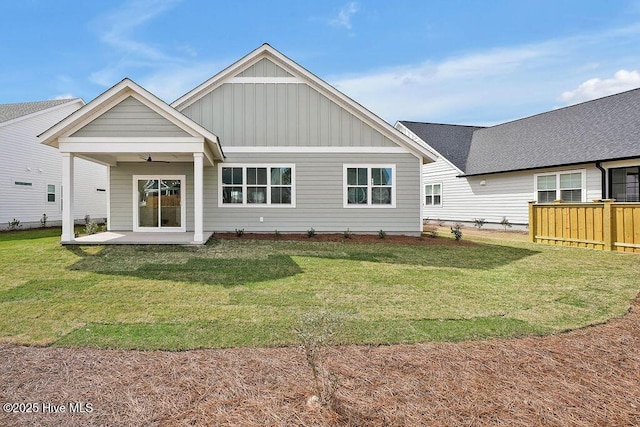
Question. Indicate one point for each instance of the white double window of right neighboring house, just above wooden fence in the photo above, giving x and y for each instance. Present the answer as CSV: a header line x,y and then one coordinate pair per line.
x,y
565,186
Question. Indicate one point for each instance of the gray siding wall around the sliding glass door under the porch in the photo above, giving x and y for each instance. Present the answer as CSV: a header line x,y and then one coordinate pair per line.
x,y
122,189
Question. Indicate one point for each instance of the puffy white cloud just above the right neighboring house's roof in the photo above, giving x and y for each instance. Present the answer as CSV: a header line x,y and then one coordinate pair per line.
x,y
594,88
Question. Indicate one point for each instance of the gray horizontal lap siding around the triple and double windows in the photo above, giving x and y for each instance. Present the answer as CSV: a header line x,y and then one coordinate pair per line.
x,y
319,197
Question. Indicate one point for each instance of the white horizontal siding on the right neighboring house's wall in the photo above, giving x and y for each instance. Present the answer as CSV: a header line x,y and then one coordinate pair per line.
x,y
502,195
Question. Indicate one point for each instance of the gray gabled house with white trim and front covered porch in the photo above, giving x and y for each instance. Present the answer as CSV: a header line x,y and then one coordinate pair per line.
x,y
263,145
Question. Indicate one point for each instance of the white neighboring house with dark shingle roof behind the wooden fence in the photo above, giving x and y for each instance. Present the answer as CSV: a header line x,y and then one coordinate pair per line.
x,y
579,153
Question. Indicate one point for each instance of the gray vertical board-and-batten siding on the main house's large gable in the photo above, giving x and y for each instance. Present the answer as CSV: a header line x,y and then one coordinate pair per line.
x,y
280,114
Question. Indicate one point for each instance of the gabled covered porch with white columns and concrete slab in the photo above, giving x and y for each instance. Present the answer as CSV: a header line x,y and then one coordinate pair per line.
x,y
155,157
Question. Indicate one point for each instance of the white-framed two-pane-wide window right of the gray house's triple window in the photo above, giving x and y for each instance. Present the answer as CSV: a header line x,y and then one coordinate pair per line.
x,y
369,185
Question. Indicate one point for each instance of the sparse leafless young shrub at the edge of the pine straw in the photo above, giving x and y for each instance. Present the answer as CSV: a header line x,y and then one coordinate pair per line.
x,y
315,333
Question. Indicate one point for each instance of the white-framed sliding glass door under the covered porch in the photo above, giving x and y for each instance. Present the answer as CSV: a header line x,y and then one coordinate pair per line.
x,y
159,203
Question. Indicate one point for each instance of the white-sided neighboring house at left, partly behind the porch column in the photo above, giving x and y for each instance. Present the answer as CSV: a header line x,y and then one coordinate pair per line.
x,y
30,173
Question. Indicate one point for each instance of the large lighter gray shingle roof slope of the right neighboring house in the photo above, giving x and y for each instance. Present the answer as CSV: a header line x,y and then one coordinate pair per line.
x,y
602,129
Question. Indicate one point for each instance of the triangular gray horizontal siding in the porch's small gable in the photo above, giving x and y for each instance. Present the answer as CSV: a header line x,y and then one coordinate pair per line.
x,y
130,118
